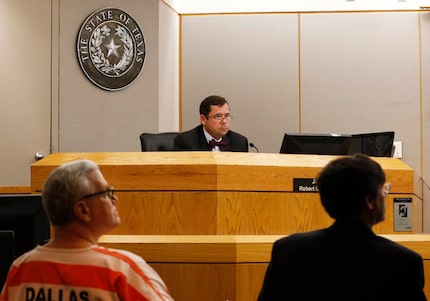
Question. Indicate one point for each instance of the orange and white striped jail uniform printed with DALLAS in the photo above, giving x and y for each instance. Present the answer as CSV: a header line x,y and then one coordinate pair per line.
x,y
91,274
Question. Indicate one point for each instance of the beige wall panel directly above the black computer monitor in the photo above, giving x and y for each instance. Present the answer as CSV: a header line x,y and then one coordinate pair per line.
x,y
360,72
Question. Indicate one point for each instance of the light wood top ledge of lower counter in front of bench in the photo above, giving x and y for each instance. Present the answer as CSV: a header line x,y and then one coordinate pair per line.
x,y
225,248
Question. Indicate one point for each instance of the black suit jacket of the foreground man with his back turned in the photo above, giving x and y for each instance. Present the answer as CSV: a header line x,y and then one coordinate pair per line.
x,y
344,262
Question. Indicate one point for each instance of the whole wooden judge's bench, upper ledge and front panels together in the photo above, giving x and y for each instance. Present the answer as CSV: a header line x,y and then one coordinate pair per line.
x,y
209,193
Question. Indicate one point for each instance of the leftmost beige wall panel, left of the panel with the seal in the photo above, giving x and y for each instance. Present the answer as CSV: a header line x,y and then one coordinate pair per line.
x,y
25,86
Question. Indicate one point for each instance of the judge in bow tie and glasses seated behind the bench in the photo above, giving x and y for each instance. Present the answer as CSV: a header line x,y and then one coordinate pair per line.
x,y
214,131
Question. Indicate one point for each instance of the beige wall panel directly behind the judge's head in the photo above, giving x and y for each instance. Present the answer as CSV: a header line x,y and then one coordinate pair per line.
x,y
252,61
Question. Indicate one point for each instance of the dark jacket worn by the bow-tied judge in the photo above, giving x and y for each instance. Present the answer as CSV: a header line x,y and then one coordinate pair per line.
x,y
195,140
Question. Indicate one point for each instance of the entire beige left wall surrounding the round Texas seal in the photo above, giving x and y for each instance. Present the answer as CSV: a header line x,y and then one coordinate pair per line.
x,y
49,105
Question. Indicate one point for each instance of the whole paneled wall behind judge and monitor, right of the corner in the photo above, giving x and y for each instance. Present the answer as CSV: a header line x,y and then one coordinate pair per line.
x,y
314,73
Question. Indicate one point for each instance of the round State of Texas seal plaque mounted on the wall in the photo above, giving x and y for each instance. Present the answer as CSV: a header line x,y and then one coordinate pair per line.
x,y
111,49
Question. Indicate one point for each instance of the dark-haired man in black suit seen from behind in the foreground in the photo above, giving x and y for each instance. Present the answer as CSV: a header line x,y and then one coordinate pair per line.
x,y
345,261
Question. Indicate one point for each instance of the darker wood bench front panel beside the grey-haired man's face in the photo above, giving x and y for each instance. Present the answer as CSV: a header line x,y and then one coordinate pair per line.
x,y
166,213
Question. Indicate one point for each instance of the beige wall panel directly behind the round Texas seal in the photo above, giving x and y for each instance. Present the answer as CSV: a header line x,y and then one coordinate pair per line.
x,y
90,118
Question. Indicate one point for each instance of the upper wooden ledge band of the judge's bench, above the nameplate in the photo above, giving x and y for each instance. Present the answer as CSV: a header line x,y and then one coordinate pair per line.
x,y
210,171
